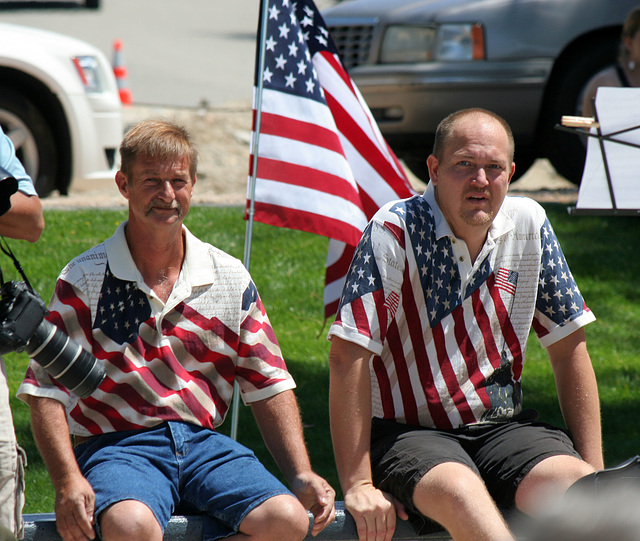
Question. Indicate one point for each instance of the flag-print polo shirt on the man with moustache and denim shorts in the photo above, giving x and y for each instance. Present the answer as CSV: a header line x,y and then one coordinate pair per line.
x,y
176,361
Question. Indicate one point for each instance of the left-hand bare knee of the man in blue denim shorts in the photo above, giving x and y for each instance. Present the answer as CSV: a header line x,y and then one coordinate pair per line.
x,y
127,520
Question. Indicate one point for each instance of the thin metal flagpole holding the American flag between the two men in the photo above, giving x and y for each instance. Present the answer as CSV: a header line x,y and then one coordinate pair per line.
x,y
248,237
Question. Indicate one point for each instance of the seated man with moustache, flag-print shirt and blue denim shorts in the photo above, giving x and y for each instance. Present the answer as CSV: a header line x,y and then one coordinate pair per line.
x,y
176,322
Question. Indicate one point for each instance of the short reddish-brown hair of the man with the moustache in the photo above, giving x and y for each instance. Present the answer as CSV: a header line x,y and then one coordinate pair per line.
x,y
157,139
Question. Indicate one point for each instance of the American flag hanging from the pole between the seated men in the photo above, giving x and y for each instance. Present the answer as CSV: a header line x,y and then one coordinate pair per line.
x,y
323,165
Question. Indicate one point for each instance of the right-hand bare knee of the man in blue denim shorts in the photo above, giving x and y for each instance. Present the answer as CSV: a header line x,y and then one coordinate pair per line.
x,y
279,518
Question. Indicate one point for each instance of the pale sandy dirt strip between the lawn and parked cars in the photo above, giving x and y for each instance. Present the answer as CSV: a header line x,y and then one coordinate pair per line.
x,y
223,137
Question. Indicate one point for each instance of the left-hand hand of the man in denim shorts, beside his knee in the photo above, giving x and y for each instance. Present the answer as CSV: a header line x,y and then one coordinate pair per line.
x,y
75,504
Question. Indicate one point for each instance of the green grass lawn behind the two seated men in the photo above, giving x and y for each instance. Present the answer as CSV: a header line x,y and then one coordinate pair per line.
x,y
288,268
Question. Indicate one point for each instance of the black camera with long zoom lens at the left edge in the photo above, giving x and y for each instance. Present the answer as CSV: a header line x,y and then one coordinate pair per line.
x,y
23,328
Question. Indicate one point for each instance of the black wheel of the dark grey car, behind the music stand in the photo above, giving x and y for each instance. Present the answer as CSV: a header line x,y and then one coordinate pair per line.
x,y
566,151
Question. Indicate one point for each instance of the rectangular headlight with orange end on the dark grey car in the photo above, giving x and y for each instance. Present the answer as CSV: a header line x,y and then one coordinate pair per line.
x,y
447,42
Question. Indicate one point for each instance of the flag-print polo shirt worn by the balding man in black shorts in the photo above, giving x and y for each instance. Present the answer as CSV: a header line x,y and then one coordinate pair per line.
x,y
448,336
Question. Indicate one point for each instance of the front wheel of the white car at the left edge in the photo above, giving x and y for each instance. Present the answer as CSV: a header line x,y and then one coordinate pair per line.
x,y
32,136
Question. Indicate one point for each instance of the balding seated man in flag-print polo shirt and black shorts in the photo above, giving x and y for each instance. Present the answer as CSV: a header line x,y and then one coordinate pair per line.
x,y
428,349
